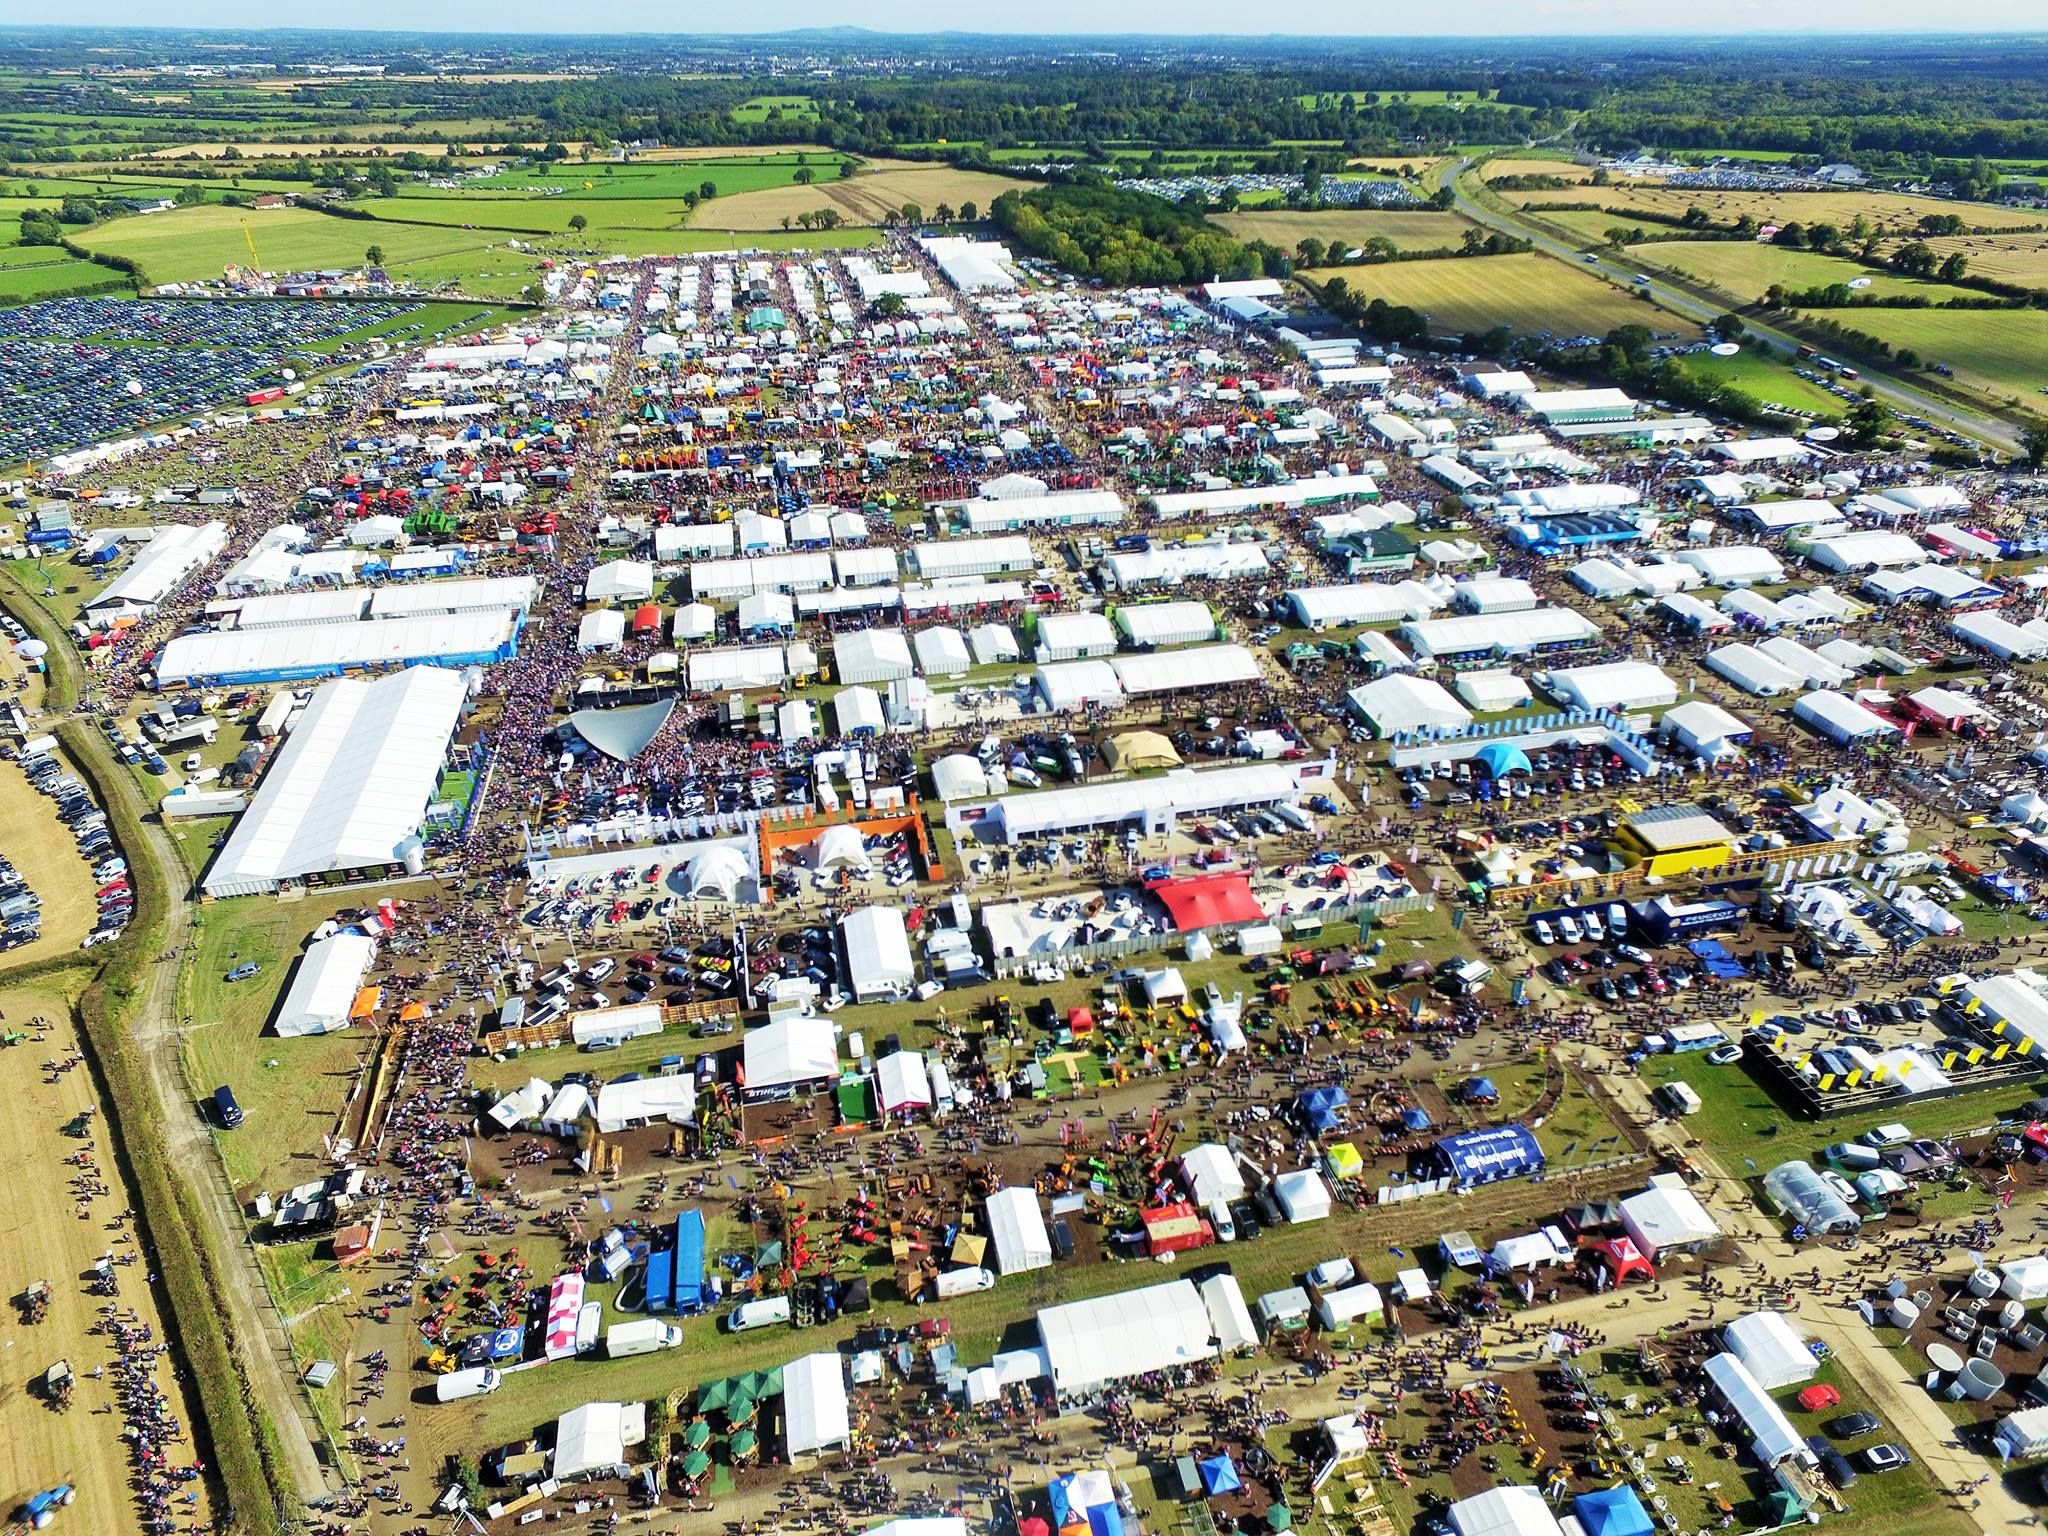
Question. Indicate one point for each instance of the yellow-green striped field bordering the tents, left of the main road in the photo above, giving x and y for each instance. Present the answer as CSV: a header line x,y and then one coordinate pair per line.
x,y
1527,294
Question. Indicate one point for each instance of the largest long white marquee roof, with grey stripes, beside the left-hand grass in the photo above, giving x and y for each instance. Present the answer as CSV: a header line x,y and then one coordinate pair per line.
x,y
349,785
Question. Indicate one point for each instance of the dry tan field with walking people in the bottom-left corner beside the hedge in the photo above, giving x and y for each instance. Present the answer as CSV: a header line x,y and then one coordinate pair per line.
x,y
44,1238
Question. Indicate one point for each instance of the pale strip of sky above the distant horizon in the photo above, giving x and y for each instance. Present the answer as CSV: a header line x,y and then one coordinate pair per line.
x,y
1166,17
